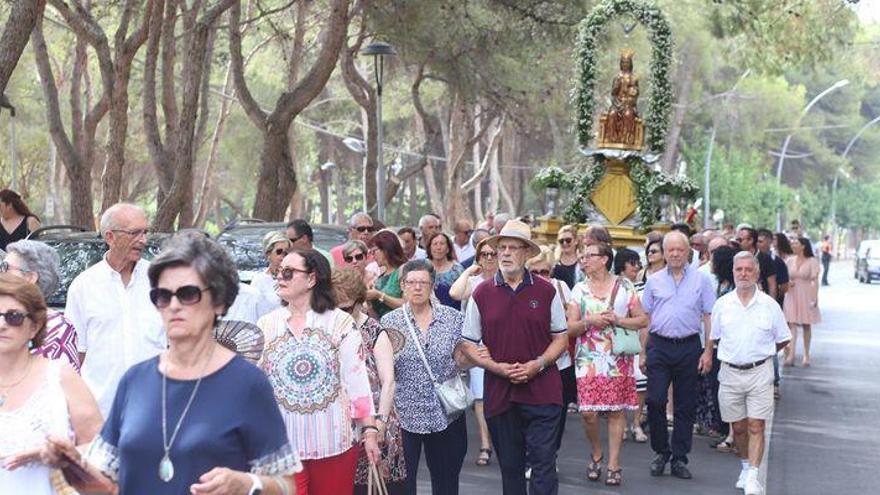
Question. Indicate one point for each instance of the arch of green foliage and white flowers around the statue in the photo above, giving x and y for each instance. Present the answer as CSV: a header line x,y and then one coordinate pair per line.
x,y
657,117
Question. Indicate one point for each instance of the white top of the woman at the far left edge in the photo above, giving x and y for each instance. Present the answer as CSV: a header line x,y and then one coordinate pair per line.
x,y
44,413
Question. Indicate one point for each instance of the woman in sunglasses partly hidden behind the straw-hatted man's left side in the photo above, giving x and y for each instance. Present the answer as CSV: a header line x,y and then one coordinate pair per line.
x,y
483,269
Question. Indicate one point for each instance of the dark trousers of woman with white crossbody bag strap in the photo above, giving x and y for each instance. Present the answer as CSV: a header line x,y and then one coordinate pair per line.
x,y
444,453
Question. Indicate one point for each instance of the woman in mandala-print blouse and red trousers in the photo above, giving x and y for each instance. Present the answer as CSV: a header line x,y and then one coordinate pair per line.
x,y
315,361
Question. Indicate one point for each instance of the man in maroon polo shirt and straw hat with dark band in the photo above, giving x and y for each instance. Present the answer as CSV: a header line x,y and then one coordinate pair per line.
x,y
521,321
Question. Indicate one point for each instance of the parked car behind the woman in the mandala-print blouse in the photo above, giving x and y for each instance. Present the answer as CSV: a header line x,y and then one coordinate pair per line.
x,y
243,240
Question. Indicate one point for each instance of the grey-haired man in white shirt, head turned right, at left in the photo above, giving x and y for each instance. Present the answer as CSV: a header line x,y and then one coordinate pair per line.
x,y
109,305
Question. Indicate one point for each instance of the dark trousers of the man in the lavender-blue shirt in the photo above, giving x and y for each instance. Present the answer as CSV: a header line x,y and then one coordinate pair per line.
x,y
675,362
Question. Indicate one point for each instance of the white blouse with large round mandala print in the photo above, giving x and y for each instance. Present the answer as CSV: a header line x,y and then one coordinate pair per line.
x,y
320,380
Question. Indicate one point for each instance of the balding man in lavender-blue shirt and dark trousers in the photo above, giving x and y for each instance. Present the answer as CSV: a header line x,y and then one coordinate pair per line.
x,y
678,298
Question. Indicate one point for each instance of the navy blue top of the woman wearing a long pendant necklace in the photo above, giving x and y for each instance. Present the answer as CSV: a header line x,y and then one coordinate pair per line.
x,y
233,422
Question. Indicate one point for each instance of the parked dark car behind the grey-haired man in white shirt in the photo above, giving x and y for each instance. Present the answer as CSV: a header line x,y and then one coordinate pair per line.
x,y
80,248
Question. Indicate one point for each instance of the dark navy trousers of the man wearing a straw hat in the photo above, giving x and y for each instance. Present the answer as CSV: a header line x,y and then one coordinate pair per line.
x,y
527,431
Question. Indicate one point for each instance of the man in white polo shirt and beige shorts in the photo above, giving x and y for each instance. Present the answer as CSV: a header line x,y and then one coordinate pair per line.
x,y
750,329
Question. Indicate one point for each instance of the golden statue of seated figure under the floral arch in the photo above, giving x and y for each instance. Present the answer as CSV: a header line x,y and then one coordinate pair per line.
x,y
620,127
